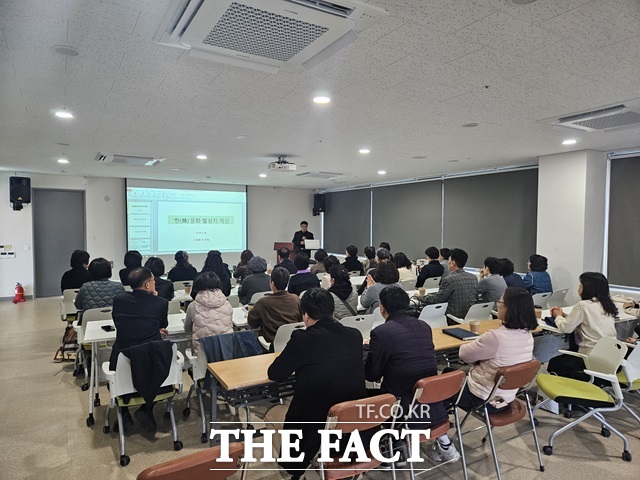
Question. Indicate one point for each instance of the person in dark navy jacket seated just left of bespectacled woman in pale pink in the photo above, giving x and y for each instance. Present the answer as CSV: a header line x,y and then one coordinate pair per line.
x,y
401,352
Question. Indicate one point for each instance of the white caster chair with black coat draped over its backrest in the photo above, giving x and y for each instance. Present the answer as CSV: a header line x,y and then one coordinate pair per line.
x,y
121,384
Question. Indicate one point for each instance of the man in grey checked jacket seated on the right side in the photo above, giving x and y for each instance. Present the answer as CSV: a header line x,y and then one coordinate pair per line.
x,y
459,288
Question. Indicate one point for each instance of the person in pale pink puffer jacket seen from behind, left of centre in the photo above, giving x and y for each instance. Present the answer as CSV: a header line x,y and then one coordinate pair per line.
x,y
210,313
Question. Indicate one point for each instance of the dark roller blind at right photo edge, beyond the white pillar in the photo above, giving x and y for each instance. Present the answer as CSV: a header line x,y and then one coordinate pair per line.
x,y
624,227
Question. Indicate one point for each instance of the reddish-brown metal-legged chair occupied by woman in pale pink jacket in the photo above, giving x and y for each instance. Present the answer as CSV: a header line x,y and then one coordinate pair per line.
x,y
521,376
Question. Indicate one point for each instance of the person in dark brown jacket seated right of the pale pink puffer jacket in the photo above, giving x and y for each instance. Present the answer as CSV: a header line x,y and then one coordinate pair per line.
x,y
277,308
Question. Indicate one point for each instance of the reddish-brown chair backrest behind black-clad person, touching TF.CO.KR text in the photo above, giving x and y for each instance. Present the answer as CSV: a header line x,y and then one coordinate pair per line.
x,y
371,411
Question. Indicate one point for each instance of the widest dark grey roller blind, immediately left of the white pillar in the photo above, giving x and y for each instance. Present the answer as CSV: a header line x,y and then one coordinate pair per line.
x,y
492,215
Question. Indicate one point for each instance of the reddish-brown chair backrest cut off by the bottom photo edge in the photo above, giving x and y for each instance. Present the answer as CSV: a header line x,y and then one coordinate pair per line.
x,y
201,464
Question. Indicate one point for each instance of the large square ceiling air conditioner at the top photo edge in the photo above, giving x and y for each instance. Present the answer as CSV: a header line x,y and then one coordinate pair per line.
x,y
292,35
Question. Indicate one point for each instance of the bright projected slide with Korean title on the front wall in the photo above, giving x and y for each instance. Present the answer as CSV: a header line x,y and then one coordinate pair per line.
x,y
163,220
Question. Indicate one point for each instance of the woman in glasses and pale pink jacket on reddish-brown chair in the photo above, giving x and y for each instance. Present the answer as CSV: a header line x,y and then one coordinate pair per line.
x,y
508,345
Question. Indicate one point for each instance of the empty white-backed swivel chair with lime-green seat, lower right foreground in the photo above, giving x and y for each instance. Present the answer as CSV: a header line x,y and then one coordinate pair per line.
x,y
602,363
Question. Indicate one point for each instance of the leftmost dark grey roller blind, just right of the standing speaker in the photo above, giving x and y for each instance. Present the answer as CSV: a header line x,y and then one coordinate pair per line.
x,y
347,220
